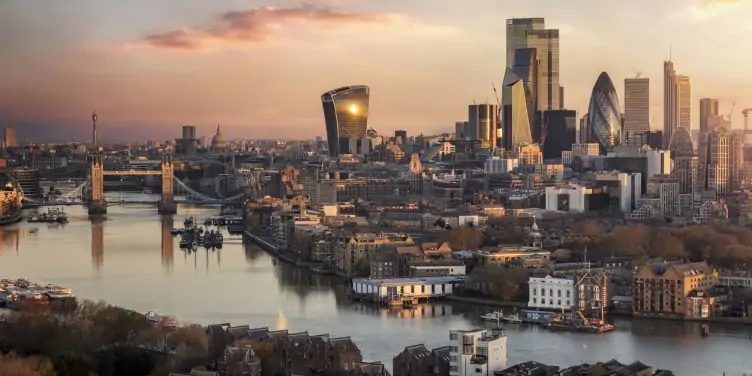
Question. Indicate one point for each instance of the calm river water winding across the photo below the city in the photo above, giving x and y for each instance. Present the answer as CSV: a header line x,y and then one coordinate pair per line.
x,y
131,260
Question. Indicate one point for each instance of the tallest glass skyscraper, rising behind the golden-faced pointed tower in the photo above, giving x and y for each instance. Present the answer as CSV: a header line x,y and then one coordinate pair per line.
x,y
529,33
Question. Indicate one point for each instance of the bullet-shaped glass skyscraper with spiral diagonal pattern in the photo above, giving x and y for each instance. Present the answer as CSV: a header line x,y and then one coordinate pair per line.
x,y
604,115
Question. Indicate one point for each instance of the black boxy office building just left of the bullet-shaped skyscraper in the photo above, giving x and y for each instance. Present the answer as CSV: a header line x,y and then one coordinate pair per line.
x,y
559,132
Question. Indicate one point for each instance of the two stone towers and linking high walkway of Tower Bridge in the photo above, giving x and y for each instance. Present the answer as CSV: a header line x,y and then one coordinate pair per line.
x,y
98,205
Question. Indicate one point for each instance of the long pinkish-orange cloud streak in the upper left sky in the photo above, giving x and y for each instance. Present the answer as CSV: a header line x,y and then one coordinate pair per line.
x,y
254,26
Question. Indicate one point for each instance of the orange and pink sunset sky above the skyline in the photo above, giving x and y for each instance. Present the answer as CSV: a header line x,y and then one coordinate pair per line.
x,y
258,68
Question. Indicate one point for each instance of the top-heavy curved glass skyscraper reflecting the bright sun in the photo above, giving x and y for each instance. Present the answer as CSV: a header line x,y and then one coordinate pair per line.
x,y
346,117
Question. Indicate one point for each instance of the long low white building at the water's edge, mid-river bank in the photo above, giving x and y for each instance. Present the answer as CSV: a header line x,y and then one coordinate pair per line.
x,y
403,291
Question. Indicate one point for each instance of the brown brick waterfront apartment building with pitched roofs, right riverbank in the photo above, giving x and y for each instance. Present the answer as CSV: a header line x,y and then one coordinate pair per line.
x,y
662,288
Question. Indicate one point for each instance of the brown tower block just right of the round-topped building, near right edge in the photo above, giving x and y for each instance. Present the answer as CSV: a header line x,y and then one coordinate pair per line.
x,y
715,171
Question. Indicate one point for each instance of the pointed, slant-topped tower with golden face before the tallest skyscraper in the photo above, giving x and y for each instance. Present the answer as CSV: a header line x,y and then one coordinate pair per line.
x,y
515,116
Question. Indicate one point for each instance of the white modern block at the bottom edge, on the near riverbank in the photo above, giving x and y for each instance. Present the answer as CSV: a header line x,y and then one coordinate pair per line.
x,y
477,352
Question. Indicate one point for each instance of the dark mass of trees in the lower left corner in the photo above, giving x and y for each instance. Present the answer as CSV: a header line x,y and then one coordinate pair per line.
x,y
96,338
